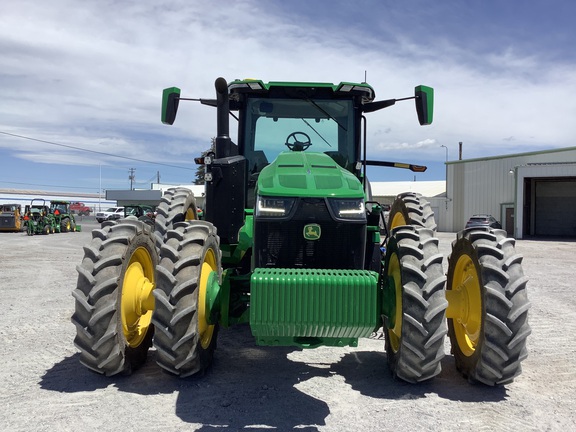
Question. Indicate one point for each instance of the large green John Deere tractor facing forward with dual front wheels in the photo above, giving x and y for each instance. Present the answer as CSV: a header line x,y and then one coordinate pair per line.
x,y
293,243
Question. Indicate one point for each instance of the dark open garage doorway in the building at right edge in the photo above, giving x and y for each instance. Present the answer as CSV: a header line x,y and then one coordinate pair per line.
x,y
555,208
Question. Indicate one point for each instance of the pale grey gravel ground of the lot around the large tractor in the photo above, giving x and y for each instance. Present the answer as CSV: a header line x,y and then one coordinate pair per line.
x,y
43,386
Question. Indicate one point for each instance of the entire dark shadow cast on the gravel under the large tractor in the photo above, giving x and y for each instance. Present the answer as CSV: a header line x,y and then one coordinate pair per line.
x,y
250,386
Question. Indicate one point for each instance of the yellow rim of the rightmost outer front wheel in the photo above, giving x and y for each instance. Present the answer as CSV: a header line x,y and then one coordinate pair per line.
x,y
465,305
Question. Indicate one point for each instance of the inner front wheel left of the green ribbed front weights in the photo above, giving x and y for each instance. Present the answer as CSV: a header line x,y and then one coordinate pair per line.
x,y
185,343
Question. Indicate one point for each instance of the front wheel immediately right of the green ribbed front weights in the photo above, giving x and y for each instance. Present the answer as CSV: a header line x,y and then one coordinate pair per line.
x,y
416,328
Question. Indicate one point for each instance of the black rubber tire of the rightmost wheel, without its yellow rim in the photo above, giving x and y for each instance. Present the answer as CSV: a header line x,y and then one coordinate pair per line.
x,y
502,347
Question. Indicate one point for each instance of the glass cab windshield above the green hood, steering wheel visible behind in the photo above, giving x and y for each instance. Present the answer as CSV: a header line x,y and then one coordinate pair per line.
x,y
328,125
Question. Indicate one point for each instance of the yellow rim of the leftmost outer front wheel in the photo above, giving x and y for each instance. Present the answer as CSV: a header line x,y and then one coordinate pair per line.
x,y
137,300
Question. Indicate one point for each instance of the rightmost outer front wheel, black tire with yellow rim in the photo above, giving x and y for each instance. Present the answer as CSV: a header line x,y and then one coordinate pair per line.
x,y
488,330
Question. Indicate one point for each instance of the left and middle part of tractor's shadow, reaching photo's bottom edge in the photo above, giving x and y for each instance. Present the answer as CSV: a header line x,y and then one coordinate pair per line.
x,y
247,387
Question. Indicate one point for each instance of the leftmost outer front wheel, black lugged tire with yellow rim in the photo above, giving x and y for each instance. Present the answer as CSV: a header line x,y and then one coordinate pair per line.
x,y
118,264
